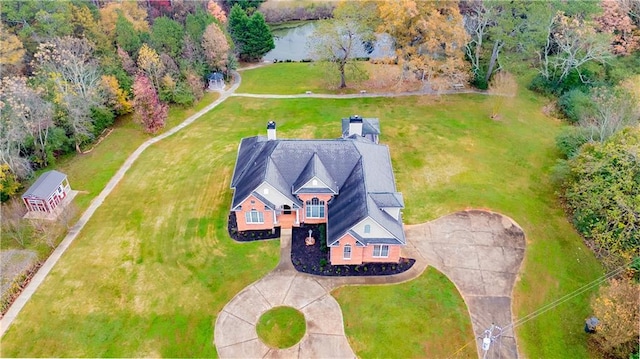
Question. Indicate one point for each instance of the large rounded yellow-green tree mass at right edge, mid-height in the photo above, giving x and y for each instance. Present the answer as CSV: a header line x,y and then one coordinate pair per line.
x,y
603,195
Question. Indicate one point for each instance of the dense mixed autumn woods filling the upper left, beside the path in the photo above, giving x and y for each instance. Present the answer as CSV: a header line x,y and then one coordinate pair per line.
x,y
69,68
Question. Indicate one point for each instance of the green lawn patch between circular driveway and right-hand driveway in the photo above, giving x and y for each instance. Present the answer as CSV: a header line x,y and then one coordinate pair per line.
x,y
423,318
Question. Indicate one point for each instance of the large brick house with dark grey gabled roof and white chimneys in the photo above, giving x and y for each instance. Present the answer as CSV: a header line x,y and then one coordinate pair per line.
x,y
347,183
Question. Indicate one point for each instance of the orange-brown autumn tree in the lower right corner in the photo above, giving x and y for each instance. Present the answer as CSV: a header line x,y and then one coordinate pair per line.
x,y
616,307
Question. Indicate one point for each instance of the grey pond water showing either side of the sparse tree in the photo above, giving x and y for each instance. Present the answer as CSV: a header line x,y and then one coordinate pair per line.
x,y
291,44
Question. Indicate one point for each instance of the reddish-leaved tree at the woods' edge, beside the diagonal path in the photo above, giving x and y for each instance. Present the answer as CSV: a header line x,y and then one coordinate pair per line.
x,y
148,110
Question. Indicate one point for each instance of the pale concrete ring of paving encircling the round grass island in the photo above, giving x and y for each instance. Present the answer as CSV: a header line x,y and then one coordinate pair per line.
x,y
235,330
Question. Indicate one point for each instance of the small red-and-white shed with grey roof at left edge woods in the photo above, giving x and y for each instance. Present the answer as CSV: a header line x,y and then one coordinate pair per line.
x,y
47,193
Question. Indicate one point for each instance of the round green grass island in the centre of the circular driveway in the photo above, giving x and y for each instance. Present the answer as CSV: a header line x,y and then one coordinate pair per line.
x,y
281,327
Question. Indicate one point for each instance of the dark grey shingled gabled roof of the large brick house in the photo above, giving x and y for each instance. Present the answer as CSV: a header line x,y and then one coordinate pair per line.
x,y
358,170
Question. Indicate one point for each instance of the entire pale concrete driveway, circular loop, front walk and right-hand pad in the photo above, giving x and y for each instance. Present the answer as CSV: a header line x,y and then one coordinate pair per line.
x,y
479,251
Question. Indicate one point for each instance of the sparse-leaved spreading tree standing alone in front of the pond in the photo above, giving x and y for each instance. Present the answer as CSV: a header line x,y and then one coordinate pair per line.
x,y
339,41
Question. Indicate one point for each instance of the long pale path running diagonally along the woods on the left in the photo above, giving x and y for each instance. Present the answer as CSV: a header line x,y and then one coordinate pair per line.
x,y
42,273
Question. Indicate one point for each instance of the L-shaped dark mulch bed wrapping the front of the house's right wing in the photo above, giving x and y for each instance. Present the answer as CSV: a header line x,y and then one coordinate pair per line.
x,y
314,259
